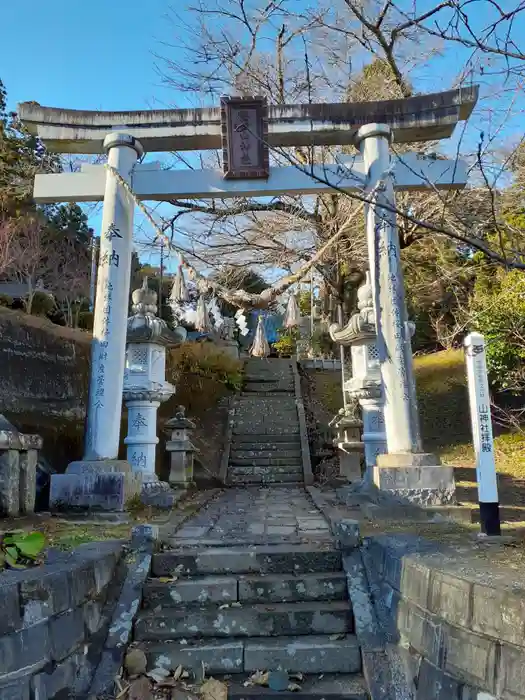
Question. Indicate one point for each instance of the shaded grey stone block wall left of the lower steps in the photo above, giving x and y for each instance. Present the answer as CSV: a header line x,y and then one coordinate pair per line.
x,y
54,621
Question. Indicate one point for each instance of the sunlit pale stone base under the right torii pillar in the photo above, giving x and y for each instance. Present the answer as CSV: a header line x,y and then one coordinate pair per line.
x,y
417,478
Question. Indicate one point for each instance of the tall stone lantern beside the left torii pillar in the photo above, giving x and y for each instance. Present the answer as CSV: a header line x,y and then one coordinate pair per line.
x,y
145,385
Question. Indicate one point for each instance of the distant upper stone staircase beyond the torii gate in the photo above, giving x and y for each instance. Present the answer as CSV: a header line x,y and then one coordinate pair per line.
x,y
266,445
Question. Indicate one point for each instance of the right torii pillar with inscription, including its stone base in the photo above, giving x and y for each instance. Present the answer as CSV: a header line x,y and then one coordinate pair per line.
x,y
405,470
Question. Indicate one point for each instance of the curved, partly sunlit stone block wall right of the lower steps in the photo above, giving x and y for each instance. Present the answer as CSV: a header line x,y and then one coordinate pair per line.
x,y
458,622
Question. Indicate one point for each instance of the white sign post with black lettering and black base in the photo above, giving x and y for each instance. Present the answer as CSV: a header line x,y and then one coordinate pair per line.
x,y
479,399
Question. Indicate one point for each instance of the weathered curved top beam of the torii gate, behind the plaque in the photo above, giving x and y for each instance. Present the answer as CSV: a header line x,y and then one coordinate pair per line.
x,y
419,118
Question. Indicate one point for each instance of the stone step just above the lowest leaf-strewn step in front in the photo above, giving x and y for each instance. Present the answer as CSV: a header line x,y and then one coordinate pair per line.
x,y
314,654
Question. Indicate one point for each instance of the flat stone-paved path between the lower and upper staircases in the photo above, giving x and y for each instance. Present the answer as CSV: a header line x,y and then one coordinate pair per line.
x,y
256,515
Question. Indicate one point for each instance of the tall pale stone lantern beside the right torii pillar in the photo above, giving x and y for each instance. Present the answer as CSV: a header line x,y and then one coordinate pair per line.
x,y
364,386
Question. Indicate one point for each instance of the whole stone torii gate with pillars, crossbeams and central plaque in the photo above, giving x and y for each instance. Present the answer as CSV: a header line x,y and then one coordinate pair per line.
x,y
125,136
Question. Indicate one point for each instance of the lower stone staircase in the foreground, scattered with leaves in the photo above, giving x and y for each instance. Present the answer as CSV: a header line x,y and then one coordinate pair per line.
x,y
234,610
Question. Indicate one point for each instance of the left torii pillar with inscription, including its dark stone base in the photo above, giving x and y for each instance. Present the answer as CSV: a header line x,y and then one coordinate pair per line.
x,y
100,481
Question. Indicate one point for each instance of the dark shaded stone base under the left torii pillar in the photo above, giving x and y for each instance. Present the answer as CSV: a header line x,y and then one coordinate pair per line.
x,y
105,485
